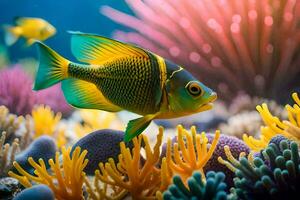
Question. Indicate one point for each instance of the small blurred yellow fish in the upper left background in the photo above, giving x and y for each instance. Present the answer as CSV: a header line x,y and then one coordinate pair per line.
x,y
29,28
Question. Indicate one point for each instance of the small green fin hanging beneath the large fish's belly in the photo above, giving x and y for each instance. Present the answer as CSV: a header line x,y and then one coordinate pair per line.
x,y
137,126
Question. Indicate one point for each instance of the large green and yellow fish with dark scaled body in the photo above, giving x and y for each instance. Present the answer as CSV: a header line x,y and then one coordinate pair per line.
x,y
120,76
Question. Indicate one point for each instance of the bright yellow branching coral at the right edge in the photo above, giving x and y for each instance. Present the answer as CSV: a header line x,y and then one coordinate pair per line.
x,y
274,126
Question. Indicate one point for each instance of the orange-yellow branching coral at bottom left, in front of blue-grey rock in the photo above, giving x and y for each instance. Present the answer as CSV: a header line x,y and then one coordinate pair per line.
x,y
66,178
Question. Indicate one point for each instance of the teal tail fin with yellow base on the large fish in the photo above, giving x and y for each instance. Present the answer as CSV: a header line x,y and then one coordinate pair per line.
x,y
53,68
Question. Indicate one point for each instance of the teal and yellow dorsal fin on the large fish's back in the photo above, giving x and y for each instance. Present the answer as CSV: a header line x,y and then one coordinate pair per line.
x,y
98,50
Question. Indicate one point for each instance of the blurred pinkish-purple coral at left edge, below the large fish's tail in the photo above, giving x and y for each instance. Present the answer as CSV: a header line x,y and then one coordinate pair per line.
x,y
17,95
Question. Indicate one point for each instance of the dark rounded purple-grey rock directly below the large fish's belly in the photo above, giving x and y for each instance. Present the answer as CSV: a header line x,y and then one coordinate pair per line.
x,y
101,145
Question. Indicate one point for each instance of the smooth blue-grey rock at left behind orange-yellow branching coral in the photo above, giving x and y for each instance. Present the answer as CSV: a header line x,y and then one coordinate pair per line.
x,y
43,147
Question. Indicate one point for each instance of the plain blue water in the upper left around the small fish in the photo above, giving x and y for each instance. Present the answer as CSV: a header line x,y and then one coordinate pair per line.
x,y
76,15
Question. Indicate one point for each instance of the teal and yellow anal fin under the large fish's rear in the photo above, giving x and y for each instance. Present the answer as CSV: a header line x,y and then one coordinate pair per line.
x,y
83,94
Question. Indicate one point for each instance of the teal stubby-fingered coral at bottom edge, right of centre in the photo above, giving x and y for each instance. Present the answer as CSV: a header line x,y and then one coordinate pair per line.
x,y
213,188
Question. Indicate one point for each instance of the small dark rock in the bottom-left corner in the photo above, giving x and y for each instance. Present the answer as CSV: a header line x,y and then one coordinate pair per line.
x,y
8,187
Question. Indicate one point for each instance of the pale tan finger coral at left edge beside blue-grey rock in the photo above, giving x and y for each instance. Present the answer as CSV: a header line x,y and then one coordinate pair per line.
x,y
7,154
